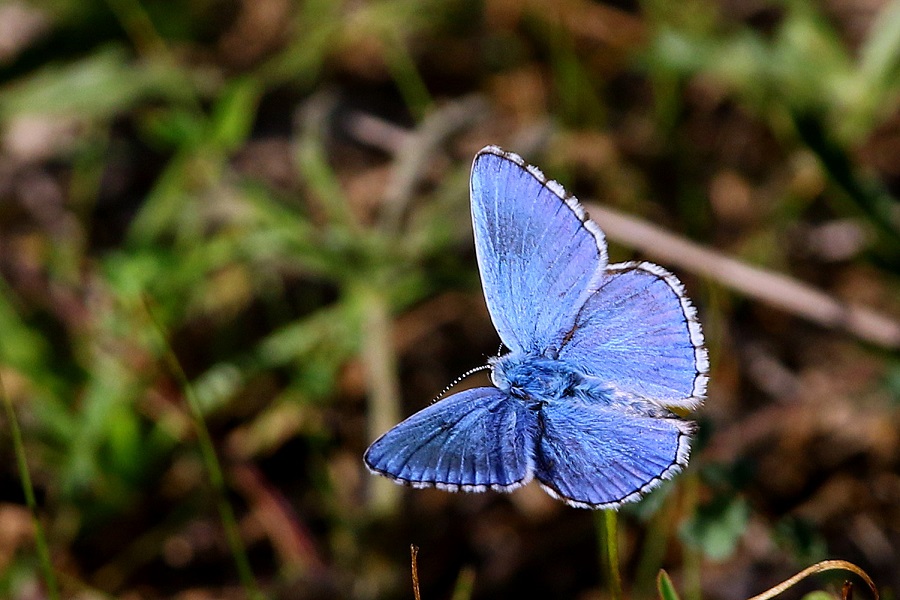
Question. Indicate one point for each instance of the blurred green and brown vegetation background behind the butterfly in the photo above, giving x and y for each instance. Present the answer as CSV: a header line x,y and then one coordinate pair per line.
x,y
253,215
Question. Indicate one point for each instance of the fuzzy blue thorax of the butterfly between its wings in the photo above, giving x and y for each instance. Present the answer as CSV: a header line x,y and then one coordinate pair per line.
x,y
535,378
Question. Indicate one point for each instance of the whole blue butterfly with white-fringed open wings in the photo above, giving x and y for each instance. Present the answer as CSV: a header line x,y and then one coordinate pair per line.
x,y
598,356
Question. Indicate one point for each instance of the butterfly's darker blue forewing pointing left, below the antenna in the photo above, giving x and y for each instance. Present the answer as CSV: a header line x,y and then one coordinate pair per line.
x,y
472,441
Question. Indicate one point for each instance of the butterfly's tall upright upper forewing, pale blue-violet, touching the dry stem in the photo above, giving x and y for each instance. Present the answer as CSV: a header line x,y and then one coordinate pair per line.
x,y
538,254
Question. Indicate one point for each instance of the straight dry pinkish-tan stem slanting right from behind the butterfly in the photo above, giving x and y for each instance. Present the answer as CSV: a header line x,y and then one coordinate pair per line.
x,y
774,288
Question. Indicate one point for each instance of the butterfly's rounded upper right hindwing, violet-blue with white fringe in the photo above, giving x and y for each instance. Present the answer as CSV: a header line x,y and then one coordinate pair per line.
x,y
639,334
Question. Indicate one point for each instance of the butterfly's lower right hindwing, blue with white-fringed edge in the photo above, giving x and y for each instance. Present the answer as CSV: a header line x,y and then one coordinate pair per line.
x,y
592,456
